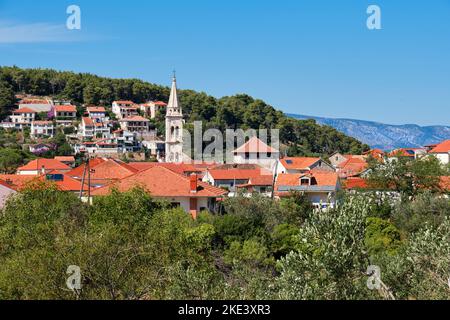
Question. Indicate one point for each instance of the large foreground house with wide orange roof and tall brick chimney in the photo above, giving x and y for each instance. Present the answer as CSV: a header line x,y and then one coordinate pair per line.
x,y
188,193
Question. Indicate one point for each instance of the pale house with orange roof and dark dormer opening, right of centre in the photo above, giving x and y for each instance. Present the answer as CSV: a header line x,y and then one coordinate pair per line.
x,y
320,187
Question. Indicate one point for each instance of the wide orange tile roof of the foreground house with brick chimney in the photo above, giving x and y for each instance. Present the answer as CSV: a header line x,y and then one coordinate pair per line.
x,y
162,182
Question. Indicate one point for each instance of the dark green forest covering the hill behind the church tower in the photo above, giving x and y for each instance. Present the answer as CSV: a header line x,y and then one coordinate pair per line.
x,y
239,111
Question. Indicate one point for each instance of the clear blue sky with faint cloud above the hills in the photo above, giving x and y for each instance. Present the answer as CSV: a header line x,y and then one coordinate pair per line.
x,y
313,57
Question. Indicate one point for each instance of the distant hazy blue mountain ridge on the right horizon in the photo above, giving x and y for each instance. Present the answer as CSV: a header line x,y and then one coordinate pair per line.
x,y
385,136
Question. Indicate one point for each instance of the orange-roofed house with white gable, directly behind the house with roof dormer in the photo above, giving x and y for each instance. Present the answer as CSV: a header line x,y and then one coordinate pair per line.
x,y
302,164
